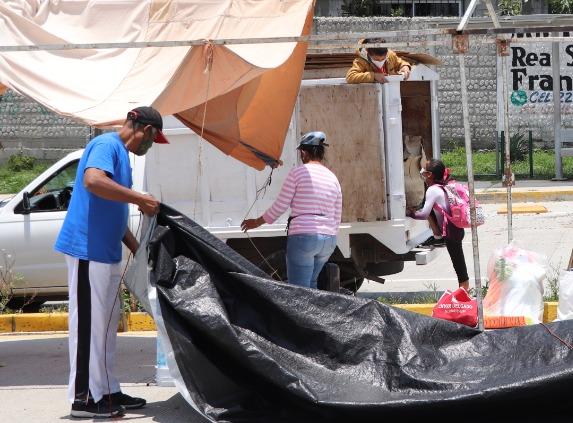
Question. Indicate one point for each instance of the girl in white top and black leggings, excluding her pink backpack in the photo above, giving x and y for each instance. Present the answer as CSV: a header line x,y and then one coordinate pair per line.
x,y
436,176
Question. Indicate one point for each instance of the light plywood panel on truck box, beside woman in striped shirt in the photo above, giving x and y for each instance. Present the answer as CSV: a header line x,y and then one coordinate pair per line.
x,y
349,115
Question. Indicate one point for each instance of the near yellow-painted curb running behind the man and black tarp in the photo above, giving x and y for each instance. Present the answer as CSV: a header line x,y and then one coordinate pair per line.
x,y
139,322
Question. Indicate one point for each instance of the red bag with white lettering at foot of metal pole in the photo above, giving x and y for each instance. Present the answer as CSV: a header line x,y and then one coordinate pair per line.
x,y
457,306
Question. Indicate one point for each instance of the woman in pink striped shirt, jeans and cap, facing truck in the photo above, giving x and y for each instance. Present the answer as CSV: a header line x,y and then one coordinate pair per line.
x,y
314,196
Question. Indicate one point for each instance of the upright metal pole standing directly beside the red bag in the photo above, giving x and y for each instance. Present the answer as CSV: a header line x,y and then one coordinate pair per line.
x,y
468,144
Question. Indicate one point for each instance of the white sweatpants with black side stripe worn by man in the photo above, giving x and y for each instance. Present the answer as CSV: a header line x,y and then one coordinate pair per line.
x,y
94,308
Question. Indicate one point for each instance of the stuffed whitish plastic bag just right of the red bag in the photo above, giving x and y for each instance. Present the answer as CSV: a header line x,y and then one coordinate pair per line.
x,y
515,284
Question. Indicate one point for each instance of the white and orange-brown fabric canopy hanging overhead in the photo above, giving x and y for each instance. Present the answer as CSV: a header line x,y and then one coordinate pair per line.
x,y
250,89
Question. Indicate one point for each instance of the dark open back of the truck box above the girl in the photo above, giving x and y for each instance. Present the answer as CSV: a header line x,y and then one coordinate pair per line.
x,y
417,112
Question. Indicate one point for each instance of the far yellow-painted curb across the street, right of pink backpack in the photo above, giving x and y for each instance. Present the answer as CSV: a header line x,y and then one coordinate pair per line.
x,y
524,195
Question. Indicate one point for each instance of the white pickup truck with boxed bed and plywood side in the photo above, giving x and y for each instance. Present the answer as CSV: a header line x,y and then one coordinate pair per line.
x,y
364,126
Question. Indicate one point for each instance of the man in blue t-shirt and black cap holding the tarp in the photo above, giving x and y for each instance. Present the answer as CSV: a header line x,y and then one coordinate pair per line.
x,y
91,238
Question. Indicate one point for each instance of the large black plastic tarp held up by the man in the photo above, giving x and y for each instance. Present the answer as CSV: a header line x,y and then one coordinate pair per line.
x,y
252,349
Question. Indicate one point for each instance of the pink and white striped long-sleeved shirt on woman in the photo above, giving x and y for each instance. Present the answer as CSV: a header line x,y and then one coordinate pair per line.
x,y
314,196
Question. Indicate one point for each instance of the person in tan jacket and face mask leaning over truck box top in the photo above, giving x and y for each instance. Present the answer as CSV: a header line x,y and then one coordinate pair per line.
x,y
373,64
